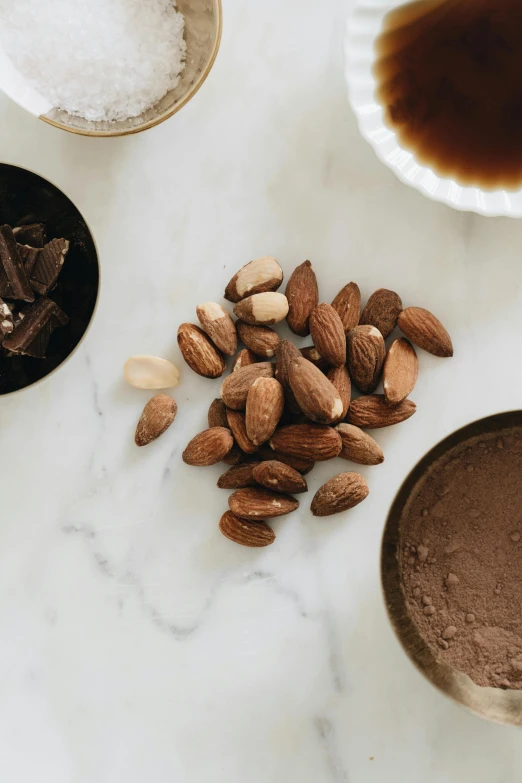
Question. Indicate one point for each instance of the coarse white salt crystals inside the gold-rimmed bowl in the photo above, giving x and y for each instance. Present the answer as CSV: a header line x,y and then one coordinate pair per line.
x,y
97,59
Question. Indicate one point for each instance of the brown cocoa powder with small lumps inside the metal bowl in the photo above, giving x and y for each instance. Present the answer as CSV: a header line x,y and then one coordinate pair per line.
x,y
461,558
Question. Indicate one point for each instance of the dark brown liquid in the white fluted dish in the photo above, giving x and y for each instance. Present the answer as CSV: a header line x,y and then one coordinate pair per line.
x,y
449,76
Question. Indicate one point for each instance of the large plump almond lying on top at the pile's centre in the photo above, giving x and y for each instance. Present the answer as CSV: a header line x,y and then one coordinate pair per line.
x,y
316,396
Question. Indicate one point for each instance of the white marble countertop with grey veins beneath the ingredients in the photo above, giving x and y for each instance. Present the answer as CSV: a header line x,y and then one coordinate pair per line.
x,y
136,643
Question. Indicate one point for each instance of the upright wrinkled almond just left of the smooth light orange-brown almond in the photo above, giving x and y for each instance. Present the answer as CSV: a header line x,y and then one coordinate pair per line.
x,y
366,353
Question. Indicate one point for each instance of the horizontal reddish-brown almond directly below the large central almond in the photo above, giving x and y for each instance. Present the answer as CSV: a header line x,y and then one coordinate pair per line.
x,y
307,441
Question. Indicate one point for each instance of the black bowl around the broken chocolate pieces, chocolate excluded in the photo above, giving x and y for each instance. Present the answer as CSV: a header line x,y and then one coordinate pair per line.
x,y
26,198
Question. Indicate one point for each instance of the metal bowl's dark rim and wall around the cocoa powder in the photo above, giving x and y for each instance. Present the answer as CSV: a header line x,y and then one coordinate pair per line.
x,y
494,704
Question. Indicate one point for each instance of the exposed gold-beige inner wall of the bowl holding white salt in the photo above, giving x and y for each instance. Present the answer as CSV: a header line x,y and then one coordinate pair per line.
x,y
202,36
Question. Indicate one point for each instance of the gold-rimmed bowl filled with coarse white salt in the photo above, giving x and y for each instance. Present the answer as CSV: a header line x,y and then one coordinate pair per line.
x,y
106,67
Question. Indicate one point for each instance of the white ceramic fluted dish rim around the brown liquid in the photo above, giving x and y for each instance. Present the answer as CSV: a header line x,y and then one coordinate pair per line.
x,y
363,27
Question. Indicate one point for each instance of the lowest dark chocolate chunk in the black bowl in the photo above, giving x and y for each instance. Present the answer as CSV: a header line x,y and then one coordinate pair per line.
x,y
31,335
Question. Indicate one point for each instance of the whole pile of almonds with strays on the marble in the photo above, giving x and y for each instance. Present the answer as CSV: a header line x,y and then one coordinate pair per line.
x,y
274,420
